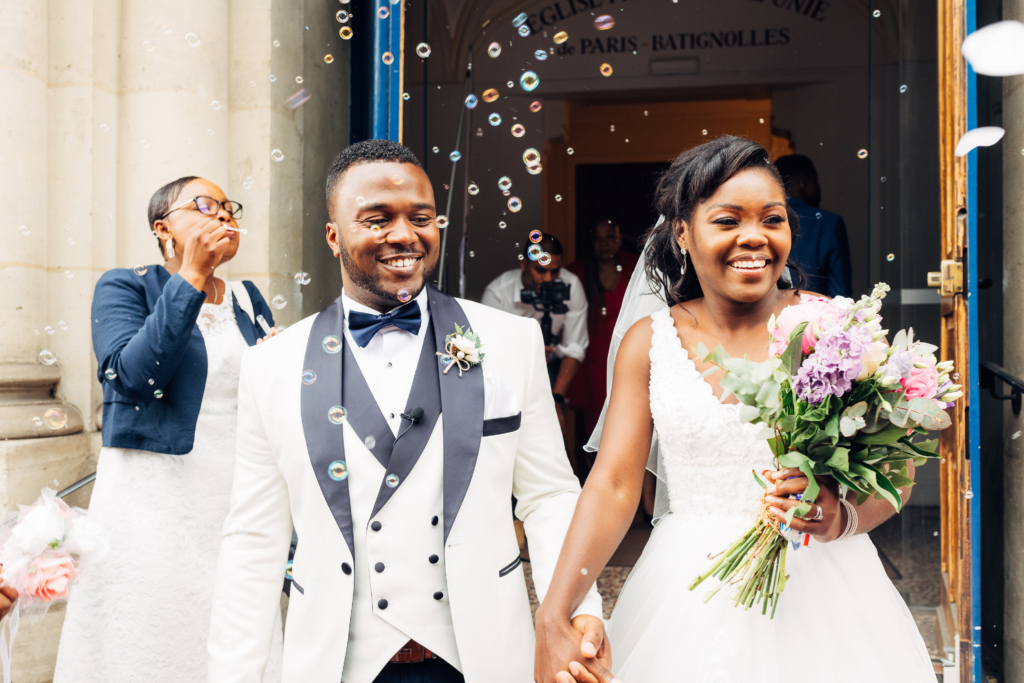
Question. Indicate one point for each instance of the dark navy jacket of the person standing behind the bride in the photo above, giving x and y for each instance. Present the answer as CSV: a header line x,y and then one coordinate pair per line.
x,y
823,250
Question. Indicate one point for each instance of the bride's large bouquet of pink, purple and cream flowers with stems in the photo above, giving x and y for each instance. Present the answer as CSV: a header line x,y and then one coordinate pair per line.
x,y
836,400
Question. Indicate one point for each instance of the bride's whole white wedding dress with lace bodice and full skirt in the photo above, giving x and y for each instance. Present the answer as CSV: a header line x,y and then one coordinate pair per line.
x,y
840,619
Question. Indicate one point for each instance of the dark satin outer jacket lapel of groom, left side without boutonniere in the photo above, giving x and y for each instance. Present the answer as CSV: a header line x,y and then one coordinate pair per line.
x,y
325,441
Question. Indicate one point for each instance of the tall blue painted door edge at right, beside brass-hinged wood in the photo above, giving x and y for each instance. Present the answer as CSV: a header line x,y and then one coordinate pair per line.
x,y
974,426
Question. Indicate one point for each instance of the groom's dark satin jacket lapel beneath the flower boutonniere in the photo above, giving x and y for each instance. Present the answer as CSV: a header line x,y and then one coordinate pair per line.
x,y
462,404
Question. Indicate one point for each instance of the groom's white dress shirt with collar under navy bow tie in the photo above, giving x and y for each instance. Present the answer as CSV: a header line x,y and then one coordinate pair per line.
x,y
389,362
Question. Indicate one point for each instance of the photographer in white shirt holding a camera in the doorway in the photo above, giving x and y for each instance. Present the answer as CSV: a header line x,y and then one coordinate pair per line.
x,y
568,348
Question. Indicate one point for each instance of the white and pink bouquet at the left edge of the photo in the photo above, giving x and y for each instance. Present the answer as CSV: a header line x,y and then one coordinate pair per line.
x,y
42,549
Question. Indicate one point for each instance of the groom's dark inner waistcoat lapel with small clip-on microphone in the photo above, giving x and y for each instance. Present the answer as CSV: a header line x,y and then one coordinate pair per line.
x,y
425,395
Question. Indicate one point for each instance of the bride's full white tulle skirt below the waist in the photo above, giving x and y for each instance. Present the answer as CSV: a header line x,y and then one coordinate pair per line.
x,y
840,619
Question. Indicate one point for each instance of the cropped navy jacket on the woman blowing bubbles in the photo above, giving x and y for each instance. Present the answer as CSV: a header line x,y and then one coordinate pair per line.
x,y
144,330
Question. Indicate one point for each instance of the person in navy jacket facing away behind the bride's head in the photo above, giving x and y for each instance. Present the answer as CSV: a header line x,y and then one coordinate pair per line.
x,y
823,249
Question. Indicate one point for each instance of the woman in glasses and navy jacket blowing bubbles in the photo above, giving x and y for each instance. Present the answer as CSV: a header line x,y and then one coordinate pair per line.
x,y
169,341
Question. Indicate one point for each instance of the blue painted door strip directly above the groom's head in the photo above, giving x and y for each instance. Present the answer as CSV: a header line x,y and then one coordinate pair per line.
x,y
388,78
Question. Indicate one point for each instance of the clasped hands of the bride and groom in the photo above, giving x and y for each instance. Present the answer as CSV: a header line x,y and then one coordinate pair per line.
x,y
580,648
